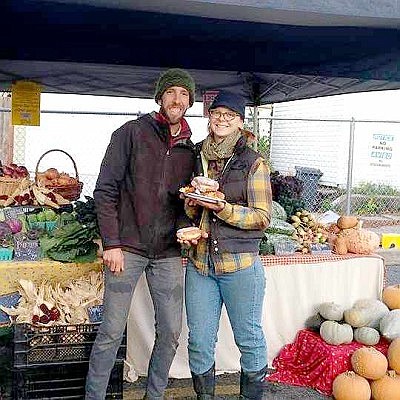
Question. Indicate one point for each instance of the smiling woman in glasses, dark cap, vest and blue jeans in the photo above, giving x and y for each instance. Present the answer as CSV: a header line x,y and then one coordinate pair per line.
x,y
225,267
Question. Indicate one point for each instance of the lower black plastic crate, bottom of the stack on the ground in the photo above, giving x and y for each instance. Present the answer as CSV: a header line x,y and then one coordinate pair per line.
x,y
61,382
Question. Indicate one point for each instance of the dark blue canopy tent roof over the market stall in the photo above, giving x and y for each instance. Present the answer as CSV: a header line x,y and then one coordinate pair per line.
x,y
269,51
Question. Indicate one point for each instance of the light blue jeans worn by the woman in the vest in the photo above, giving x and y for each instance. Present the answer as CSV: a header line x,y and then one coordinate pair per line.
x,y
242,292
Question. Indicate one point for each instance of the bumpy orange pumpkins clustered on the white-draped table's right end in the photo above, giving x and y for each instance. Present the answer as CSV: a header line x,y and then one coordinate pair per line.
x,y
349,237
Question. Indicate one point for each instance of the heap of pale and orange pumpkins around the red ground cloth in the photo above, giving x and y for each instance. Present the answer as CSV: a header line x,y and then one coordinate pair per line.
x,y
374,375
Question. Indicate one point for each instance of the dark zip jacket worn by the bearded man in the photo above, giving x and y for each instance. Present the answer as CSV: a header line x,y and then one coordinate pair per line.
x,y
137,191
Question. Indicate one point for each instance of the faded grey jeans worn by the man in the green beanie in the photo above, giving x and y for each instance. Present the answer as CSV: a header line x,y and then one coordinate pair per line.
x,y
165,281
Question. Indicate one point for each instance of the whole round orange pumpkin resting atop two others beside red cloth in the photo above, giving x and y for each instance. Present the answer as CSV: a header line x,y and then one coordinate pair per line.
x,y
369,363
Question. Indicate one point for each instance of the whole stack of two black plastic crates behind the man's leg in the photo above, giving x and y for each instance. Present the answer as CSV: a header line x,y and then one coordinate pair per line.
x,y
52,362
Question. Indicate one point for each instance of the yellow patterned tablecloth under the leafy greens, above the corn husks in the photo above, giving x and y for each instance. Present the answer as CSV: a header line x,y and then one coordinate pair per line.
x,y
45,270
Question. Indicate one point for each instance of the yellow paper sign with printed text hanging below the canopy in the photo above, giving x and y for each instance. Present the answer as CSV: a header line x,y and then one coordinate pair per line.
x,y
25,103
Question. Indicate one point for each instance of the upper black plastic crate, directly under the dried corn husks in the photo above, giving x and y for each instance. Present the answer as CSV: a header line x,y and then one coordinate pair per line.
x,y
57,344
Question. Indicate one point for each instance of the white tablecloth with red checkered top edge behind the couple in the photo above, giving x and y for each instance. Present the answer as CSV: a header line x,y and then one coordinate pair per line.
x,y
295,286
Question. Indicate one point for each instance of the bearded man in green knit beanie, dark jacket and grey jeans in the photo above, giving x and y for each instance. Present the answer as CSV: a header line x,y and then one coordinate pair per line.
x,y
139,210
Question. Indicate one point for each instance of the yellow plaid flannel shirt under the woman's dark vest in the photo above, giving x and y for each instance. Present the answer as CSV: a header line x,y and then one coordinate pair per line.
x,y
256,215
